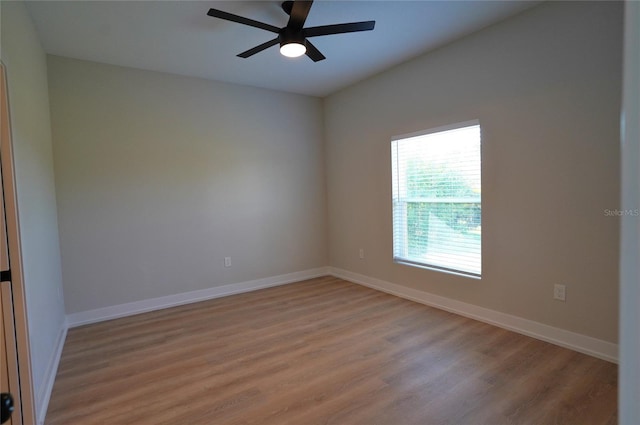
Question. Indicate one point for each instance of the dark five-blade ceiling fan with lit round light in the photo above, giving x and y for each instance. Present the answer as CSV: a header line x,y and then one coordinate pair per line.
x,y
293,37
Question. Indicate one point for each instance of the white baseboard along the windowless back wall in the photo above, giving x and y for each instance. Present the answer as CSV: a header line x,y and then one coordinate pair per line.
x,y
136,307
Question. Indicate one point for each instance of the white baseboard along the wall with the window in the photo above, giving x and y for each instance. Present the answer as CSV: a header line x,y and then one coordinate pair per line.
x,y
574,341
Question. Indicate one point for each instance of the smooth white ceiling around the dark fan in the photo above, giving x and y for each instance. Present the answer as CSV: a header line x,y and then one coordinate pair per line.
x,y
178,37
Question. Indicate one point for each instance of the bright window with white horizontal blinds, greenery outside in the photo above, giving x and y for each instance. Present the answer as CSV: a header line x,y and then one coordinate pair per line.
x,y
437,205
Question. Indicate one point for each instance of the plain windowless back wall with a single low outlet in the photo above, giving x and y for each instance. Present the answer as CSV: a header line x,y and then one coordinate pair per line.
x,y
159,177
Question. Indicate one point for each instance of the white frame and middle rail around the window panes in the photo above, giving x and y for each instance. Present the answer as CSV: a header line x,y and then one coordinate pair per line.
x,y
401,199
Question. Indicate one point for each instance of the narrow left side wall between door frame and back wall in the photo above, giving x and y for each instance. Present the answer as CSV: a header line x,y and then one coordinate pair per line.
x,y
29,108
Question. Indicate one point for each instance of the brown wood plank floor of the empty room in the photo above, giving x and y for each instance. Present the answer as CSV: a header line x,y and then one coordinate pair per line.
x,y
322,351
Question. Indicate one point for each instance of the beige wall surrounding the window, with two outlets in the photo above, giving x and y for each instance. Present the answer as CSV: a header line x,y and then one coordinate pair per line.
x,y
546,89
